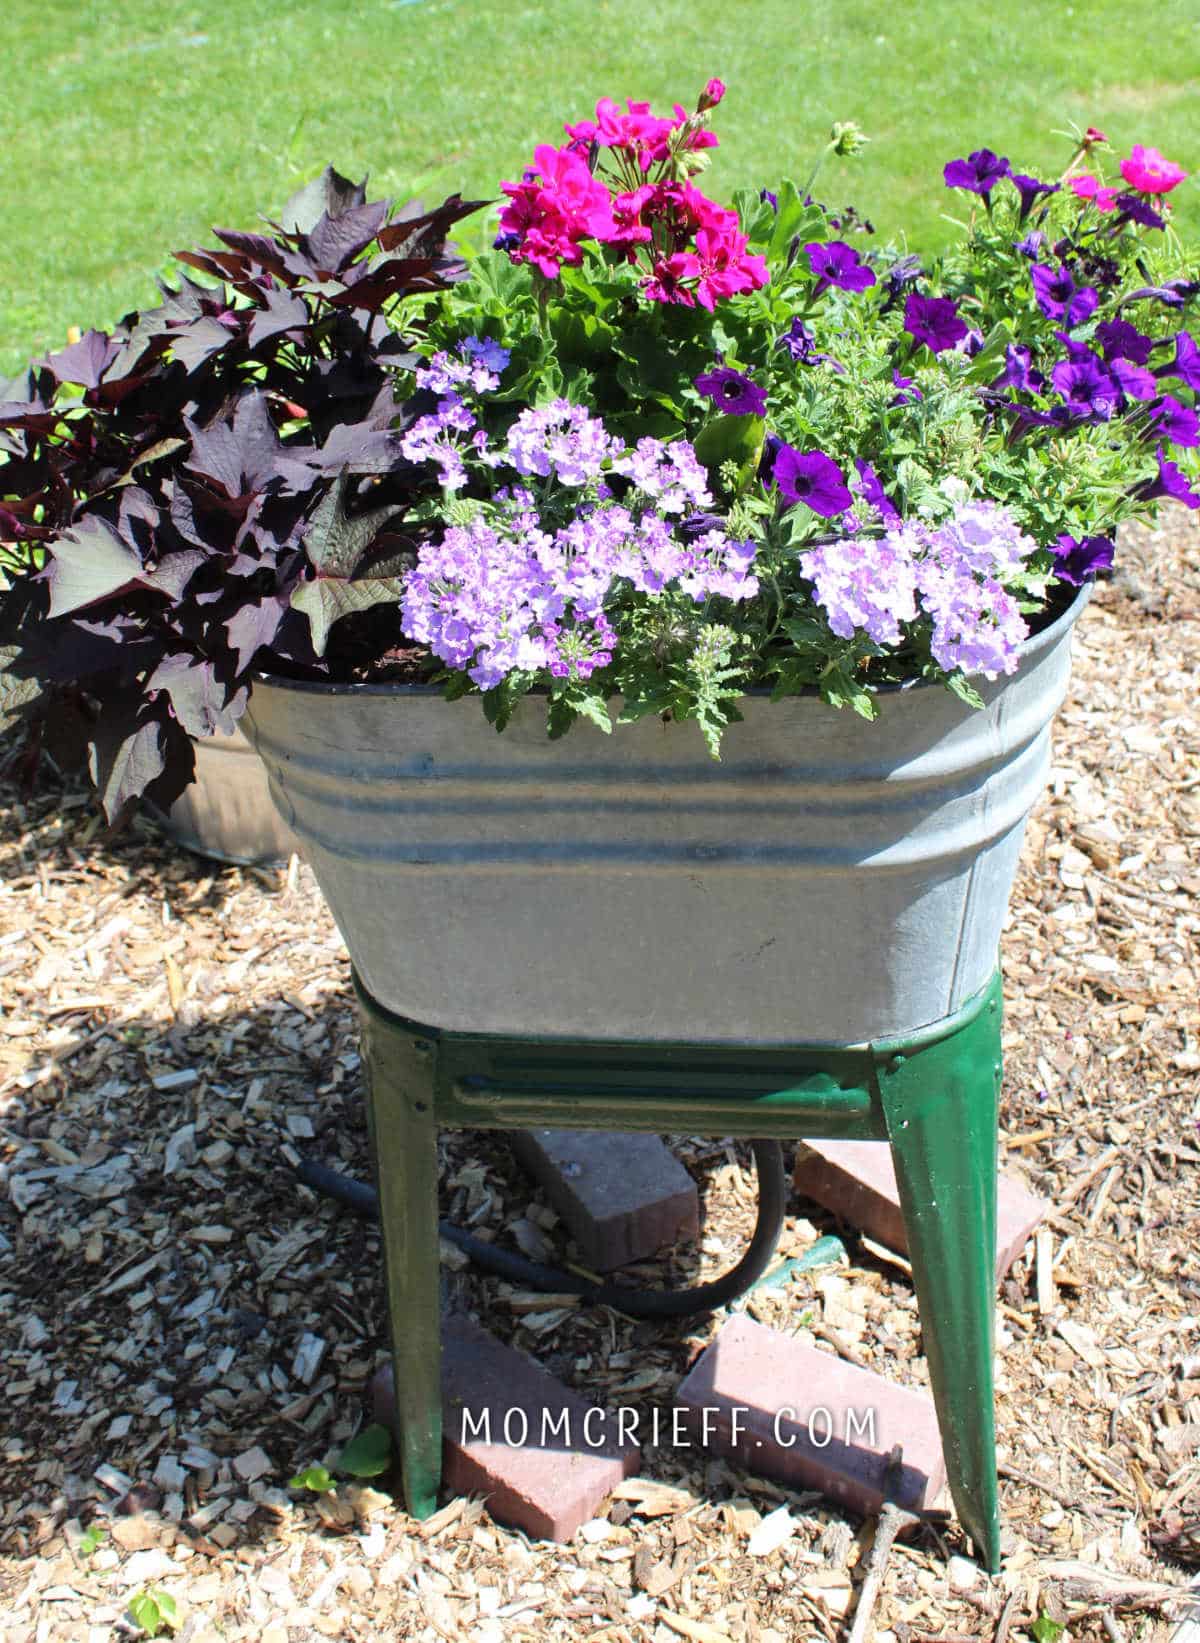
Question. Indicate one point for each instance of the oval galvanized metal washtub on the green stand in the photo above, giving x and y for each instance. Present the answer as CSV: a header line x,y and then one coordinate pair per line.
x,y
828,881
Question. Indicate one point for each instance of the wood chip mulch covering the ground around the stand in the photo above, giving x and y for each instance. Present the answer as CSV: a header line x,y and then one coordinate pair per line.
x,y
185,1327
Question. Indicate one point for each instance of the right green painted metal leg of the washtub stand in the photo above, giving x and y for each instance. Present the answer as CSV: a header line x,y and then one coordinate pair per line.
x,y
941,1107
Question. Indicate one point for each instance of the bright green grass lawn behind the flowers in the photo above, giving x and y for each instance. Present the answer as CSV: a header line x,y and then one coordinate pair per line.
x,y
139,124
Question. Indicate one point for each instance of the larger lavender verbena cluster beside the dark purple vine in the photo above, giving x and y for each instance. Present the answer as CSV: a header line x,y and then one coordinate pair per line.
x,y
509,591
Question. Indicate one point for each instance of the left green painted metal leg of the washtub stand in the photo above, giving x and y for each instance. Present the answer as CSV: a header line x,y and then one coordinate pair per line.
x,y
405,1141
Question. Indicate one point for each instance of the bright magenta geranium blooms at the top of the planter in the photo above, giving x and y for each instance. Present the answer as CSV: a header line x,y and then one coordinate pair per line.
x,y
624,182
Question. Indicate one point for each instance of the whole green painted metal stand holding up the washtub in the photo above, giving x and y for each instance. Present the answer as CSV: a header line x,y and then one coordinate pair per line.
x,y
933,1095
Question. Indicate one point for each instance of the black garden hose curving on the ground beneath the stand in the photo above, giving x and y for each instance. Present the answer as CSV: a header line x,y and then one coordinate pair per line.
x,y
635,1304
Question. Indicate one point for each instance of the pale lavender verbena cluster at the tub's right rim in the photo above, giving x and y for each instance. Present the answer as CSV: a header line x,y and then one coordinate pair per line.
x,y
951,574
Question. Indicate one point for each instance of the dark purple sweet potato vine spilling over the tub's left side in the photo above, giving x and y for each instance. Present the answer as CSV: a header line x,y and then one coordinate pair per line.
x,y
206,490
